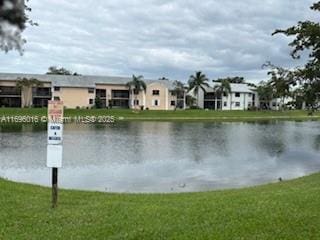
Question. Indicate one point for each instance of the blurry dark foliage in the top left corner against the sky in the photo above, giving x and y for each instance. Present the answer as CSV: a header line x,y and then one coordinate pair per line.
x,y
13,21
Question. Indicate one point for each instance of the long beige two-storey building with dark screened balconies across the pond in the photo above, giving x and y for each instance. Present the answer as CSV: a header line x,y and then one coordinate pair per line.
x,y
83,91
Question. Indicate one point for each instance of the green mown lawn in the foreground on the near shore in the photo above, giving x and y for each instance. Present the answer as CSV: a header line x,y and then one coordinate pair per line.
x,y
286,210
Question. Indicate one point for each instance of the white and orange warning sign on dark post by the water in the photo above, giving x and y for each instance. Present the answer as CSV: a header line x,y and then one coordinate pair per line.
x,y
54,147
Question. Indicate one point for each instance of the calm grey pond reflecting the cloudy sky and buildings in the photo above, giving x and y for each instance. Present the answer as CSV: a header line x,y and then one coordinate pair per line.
x,y
164,156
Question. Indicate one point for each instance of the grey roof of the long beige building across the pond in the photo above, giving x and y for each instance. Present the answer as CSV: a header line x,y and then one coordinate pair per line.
x,y
79,81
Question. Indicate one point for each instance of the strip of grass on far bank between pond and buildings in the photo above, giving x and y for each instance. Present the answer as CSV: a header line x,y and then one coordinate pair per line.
x,y
127,114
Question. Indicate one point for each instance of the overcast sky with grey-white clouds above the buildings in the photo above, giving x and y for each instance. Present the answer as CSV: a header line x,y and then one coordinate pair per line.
x,y
156,38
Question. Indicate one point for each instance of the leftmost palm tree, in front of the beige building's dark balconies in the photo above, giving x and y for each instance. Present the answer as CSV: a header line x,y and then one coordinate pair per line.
x,y
26,85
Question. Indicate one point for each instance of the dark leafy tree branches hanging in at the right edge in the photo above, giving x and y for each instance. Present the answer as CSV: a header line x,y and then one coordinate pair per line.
x,y
306,36
